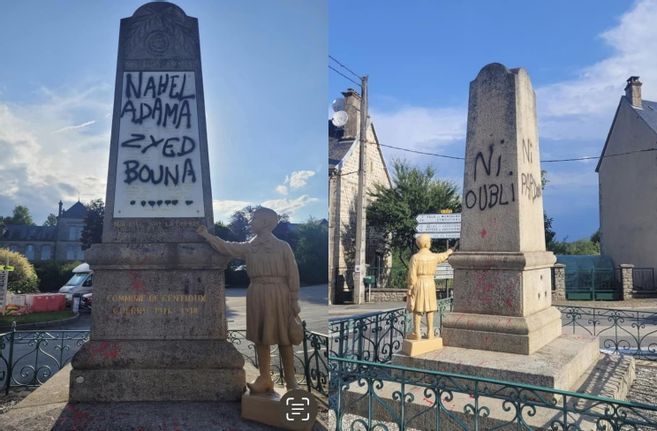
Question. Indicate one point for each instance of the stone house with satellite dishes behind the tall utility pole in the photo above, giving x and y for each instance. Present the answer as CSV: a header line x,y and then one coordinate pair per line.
x,y
344,153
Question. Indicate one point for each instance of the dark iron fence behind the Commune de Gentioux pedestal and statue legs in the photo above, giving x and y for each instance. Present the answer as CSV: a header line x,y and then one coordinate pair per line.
x,y
29,358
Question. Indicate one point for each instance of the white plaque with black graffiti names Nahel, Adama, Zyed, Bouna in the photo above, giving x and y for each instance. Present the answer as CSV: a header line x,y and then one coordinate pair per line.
x,y
158,171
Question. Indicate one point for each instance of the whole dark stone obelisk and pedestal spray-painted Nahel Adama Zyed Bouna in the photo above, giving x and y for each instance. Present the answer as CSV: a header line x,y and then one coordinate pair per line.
x,y
158,328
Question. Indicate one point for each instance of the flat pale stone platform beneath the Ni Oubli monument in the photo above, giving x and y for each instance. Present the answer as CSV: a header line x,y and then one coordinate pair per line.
x,y
558,365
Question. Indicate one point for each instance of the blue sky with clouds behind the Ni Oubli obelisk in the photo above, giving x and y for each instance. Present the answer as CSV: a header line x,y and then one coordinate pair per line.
x,y
420,57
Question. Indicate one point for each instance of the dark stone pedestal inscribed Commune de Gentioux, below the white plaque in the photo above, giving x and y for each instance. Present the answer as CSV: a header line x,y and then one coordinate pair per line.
x,y
158,327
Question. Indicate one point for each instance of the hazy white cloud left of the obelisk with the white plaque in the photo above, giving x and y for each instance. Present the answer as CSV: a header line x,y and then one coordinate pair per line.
x,y
38,166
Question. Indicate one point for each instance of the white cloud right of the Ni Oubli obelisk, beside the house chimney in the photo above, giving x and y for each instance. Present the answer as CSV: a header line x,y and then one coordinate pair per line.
x,y
582,107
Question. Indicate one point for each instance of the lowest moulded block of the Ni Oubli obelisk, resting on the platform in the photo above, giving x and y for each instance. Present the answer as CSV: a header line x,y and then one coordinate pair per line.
x,y
520,335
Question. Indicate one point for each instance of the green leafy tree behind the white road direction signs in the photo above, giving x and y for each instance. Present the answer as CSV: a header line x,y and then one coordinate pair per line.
x,y
414,192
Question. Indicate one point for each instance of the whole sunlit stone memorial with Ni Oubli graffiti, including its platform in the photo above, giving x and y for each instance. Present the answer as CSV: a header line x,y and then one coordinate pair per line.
x,y
503,325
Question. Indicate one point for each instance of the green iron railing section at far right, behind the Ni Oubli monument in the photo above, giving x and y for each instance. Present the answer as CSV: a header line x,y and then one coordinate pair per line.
x,y
620,331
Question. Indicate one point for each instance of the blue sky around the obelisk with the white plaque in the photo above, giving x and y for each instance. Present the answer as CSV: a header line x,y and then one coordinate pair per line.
x,y
265,81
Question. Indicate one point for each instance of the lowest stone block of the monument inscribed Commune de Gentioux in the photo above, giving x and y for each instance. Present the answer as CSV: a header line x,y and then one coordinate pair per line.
x,y
157,370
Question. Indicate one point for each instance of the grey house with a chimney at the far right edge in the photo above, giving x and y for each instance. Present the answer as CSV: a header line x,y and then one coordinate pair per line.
x,y
627,179
